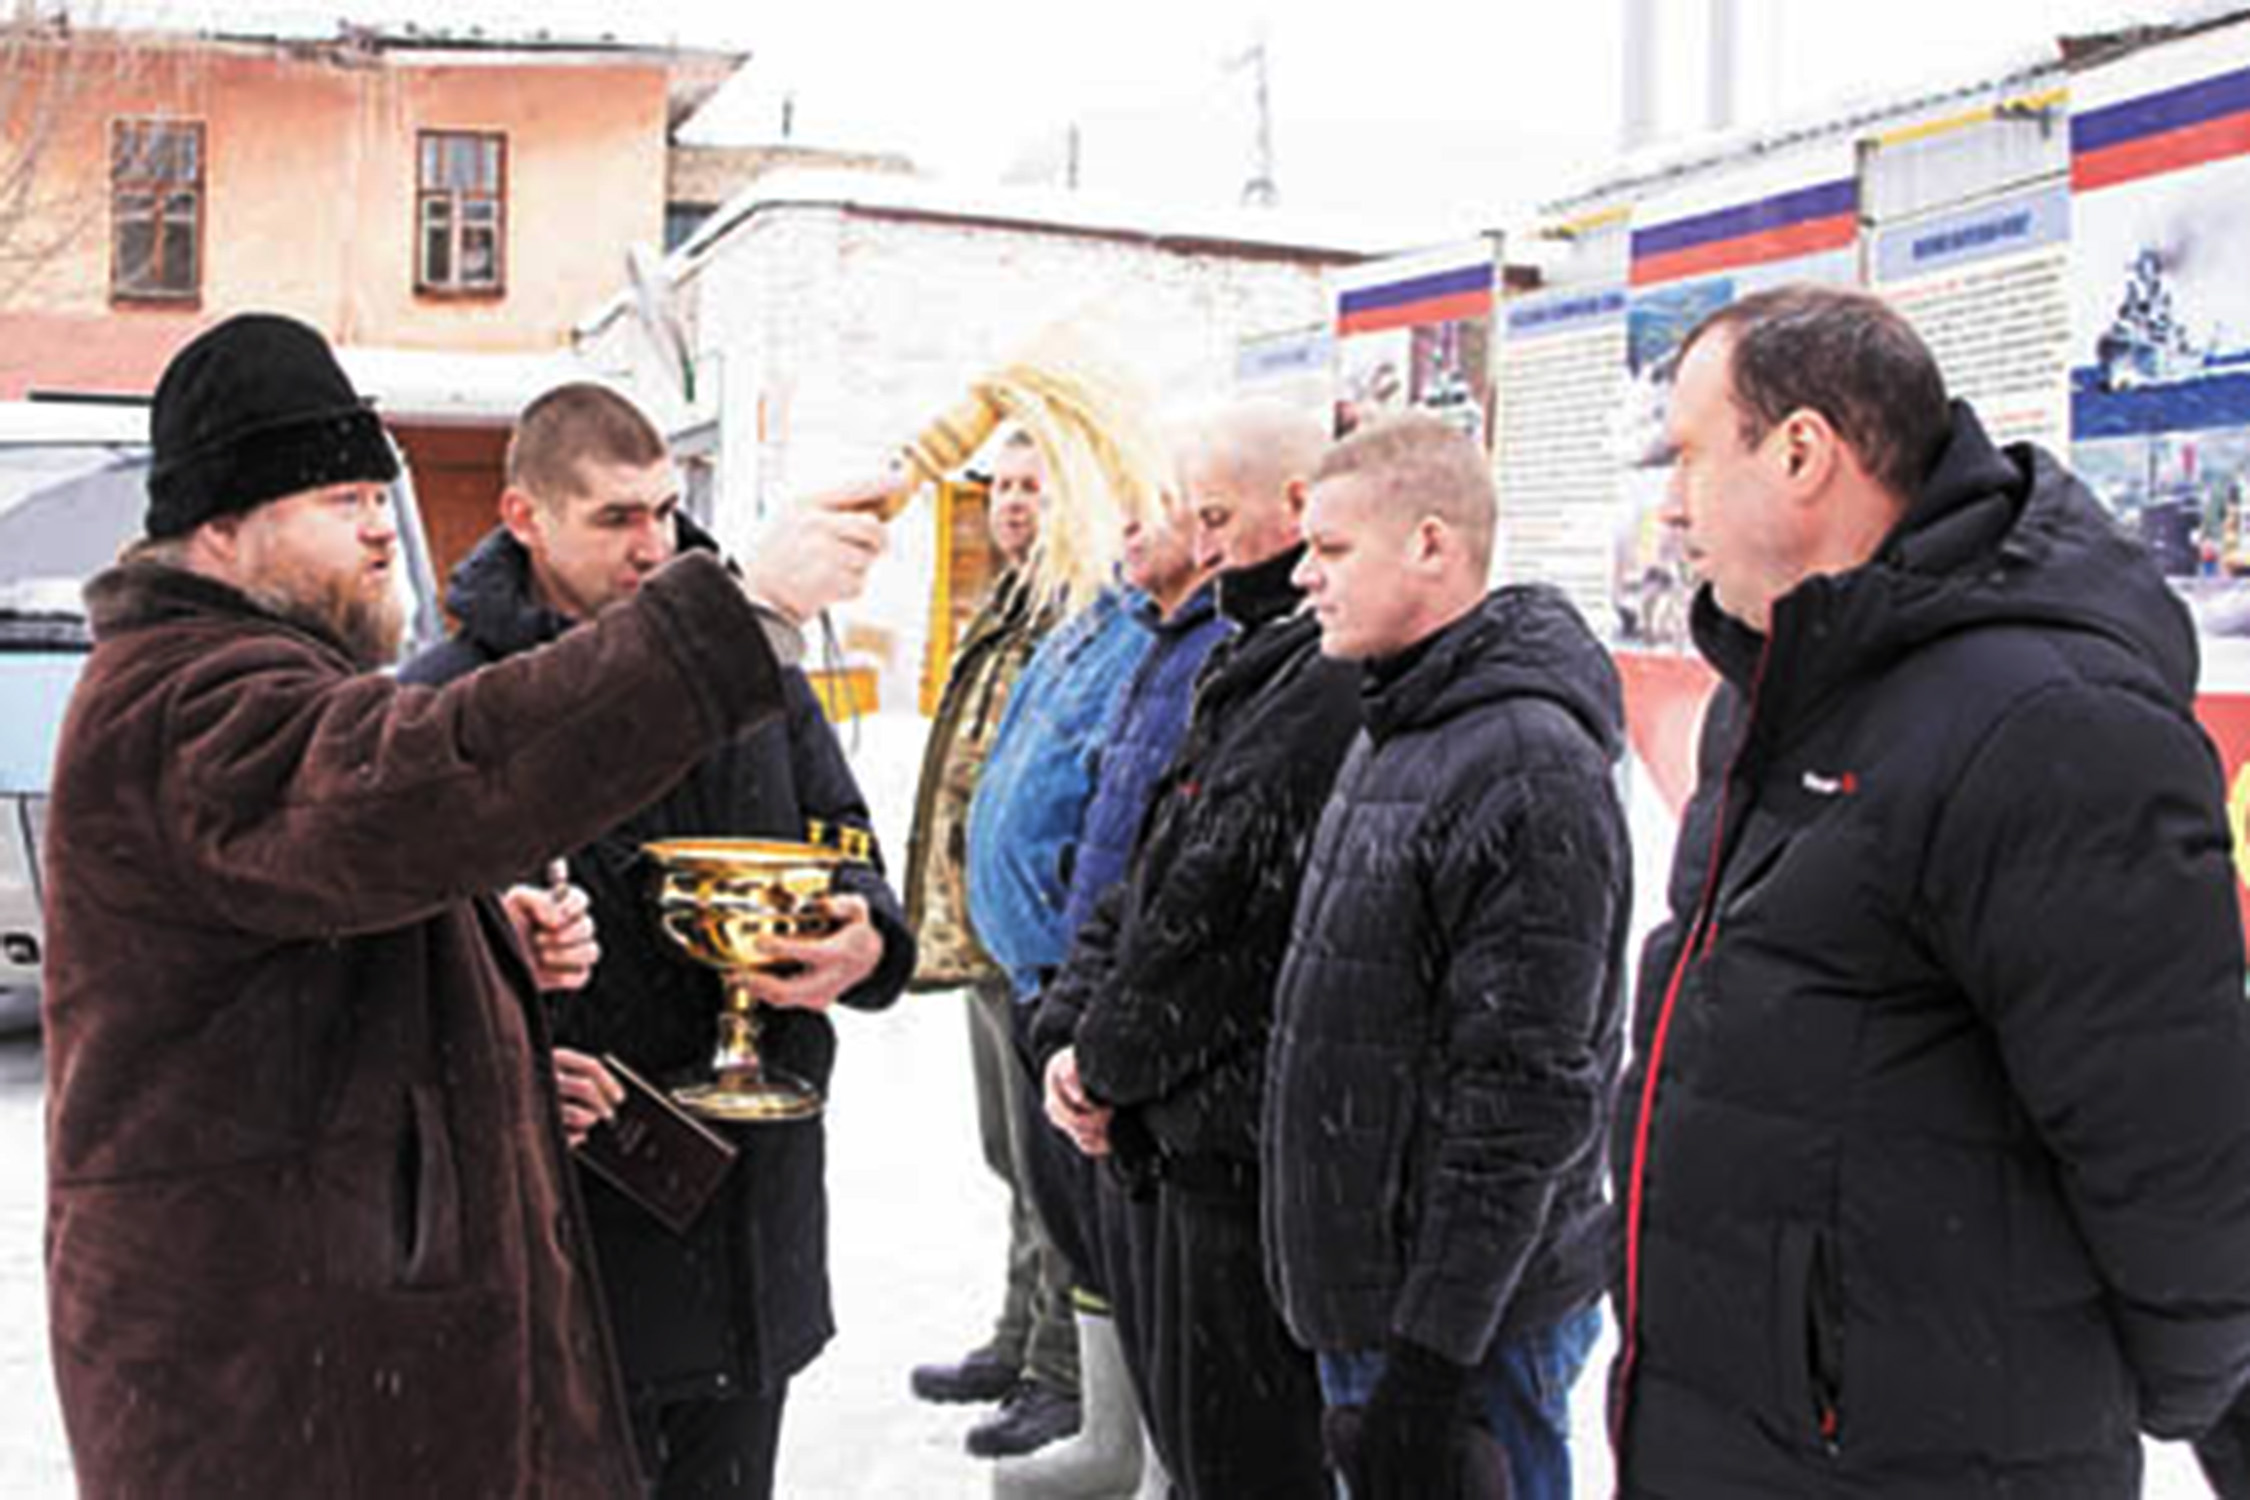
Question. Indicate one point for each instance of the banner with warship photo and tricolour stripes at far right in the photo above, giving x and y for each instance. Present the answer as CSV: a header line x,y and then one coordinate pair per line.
x,y
2161,334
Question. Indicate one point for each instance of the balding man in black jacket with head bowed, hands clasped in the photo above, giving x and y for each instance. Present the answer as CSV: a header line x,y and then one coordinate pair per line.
x,y
1153,1036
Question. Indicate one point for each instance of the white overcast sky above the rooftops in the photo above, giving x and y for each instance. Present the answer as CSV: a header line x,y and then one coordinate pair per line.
x,y
1437,114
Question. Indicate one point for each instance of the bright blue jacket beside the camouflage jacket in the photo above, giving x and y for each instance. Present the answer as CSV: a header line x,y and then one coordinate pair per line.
x,y
1038,779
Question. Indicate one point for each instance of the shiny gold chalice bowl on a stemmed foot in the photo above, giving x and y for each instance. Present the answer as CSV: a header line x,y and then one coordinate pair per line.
x,y
721,901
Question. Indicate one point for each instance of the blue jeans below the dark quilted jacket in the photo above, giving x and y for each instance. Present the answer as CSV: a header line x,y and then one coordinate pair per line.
x,y
1522,1398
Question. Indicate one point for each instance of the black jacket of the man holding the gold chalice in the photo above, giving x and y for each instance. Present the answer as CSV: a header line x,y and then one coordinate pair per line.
x,y
741,1303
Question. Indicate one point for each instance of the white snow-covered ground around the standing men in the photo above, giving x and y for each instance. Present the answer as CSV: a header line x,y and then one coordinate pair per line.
x,y
917,1243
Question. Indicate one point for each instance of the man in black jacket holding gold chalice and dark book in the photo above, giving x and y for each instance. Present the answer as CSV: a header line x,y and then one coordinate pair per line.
x,y
714,921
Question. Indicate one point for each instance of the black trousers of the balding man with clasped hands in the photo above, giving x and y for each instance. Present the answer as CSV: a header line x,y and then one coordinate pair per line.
x,y
1232,1402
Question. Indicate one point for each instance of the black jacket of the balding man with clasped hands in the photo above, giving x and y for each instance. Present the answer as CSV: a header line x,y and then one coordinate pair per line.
x,y
1169,991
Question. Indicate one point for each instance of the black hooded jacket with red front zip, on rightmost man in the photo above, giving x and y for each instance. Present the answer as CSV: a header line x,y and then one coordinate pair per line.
x,y
1943,1074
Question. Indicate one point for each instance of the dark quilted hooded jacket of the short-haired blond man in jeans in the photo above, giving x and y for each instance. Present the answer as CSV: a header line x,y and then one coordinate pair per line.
x,y
1452,1013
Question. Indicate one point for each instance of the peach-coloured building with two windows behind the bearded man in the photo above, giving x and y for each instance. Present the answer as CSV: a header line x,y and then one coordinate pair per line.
x,y
440,206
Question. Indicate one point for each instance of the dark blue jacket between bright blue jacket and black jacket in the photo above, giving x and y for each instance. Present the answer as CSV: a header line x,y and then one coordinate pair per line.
x,y
1142,741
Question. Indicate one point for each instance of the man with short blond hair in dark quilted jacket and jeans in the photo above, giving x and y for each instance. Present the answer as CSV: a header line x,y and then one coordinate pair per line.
x,y
1448,1022
